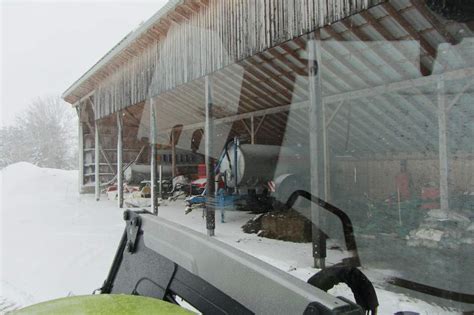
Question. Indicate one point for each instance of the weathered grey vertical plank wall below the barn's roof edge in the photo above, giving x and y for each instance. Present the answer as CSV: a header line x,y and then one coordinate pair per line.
x,y
216,36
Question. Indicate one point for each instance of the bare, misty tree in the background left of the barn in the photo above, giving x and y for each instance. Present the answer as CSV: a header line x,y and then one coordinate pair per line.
x,y
43,135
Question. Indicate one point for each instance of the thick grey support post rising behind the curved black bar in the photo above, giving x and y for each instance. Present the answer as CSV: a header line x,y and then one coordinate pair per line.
x,y
317,149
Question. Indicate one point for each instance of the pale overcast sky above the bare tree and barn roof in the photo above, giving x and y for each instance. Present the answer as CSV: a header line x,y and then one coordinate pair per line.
x,y
47,45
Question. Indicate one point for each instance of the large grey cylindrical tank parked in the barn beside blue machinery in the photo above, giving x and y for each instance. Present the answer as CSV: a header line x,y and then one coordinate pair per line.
x,y
254,177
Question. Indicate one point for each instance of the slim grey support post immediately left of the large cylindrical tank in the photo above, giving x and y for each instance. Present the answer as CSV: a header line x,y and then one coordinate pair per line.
x,y
209,144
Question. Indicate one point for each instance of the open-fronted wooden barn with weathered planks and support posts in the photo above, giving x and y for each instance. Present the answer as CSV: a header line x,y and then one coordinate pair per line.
x,y
375,95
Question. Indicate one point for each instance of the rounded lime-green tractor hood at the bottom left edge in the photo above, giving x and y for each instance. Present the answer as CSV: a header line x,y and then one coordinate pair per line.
x,y
103,304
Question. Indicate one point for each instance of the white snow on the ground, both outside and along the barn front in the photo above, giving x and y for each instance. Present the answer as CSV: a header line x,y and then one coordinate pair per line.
x,y
55,242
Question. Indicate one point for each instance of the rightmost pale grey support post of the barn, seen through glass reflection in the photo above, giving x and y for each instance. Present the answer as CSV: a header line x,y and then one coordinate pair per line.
x,y
443,146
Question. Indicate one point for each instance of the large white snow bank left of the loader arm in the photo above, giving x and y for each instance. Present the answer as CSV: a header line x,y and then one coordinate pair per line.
x,y
53,241
